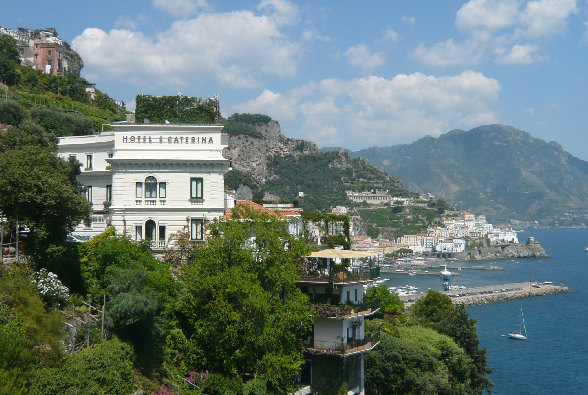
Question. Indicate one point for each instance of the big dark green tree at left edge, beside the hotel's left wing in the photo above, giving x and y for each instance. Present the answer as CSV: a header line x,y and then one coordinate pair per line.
x,y
40,190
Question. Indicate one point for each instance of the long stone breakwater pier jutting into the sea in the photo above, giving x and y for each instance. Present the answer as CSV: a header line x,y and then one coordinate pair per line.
x,y
495,293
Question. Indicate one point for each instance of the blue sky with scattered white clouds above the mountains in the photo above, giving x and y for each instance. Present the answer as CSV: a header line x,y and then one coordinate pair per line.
x,y
344,73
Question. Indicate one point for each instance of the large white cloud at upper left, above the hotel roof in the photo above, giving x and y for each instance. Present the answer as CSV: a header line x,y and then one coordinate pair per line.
x,y
192,51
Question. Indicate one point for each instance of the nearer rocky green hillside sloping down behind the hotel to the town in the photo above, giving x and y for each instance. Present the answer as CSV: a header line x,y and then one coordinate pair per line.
x,y
284,167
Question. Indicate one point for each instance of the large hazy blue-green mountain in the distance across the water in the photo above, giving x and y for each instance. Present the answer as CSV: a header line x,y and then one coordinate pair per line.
x,y
496,170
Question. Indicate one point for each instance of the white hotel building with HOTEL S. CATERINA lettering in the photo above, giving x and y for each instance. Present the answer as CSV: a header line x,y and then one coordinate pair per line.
x,y
150,181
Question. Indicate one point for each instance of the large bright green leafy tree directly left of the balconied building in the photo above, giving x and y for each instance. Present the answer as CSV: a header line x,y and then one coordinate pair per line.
x,y
239,308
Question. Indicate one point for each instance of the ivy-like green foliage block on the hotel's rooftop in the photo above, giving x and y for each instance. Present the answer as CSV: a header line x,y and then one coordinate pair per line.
x,y
177,109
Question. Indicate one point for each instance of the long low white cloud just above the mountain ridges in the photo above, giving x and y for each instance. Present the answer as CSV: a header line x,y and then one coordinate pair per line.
x,y
377,111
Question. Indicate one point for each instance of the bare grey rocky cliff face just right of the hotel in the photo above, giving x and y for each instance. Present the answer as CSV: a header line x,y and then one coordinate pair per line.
x,y
251,154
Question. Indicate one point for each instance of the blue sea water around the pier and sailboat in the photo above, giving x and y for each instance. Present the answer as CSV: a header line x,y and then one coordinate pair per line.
x,y
554,358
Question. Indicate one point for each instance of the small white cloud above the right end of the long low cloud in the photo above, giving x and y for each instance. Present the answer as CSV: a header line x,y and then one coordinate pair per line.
x,y
449,53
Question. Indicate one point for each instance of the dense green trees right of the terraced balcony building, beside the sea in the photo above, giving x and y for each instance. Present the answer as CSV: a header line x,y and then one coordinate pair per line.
x,y
431,349
